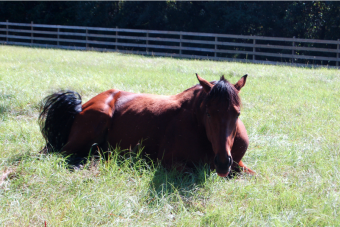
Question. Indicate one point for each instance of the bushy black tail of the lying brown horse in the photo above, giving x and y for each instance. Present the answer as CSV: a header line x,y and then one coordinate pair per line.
x,y
56,118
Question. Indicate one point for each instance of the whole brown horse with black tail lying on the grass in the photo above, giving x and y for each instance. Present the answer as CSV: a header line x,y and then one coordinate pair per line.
x,y
199,125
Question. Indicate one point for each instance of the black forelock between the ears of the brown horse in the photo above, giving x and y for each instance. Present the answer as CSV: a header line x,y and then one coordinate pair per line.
x,y
225,92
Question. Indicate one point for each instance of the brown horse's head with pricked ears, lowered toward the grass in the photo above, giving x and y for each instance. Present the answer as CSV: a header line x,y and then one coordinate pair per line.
x,y
220,110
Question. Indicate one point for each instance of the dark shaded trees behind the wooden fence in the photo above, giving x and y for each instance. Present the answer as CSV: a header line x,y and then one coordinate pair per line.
x,y
316,19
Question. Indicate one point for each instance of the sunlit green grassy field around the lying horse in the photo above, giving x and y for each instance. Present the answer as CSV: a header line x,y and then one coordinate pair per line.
x,y
292,116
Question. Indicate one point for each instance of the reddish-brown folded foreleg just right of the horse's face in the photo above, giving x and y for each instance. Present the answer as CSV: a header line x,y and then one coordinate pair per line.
x,y
239,148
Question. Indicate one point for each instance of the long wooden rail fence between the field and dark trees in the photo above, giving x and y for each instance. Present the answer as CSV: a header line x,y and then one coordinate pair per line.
x,y
257,49
